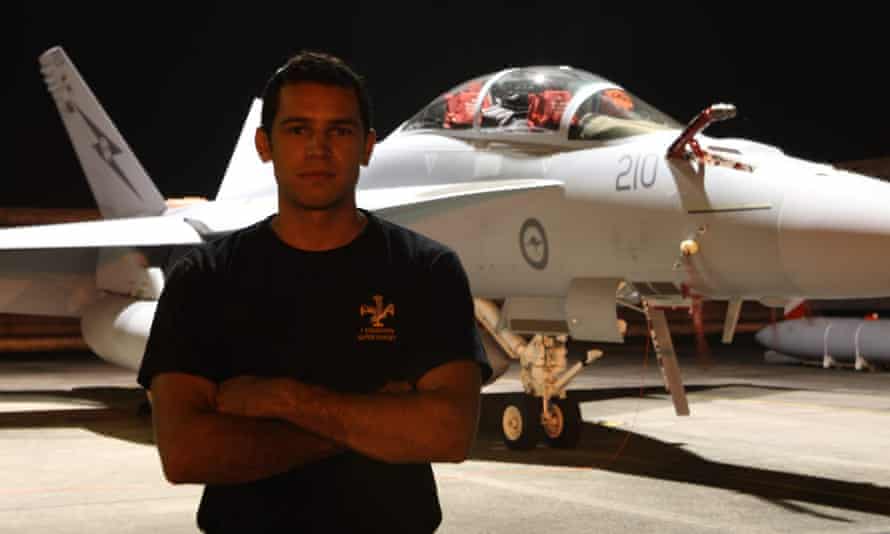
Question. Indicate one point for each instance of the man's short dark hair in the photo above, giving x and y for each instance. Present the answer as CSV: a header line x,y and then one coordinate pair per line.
x,y
319,67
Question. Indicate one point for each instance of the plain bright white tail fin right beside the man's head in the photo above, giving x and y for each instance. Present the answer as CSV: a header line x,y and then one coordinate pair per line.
x,y
247,176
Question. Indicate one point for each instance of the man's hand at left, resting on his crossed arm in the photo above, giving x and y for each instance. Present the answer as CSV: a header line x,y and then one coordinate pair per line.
x,y
252,396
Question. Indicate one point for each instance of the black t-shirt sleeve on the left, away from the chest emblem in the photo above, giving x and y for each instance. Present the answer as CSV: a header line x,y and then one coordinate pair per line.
x,y
178,340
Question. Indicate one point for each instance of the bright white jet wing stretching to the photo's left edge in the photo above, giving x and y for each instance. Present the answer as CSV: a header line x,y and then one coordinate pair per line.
x,y
132,232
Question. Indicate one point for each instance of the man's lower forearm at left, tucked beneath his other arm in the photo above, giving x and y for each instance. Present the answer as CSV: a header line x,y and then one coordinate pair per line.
x,y
213,448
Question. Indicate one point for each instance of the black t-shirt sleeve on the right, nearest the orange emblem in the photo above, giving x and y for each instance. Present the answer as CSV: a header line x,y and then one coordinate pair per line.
x,y
450,326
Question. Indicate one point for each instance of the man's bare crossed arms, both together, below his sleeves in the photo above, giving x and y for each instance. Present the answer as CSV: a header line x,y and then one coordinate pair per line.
x,y
250,428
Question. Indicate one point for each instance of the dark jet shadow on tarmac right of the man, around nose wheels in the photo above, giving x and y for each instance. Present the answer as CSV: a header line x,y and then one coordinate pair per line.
x,y
621,451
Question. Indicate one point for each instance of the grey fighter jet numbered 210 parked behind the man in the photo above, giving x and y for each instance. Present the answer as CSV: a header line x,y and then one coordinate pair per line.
x,y
564,195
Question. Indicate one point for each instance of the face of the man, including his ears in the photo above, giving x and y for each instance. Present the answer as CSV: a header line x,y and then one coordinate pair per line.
x,y
317,145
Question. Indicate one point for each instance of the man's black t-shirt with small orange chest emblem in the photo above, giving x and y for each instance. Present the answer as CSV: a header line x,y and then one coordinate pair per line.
x,y
390,305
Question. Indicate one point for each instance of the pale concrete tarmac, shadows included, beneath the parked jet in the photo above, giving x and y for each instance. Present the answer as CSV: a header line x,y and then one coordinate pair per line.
x,y
768,448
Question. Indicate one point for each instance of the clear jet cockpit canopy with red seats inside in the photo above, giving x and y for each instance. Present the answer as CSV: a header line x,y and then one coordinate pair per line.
x,y
540,104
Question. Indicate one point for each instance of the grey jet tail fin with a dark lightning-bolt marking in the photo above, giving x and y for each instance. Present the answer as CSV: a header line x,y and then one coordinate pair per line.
x,y
118,181
